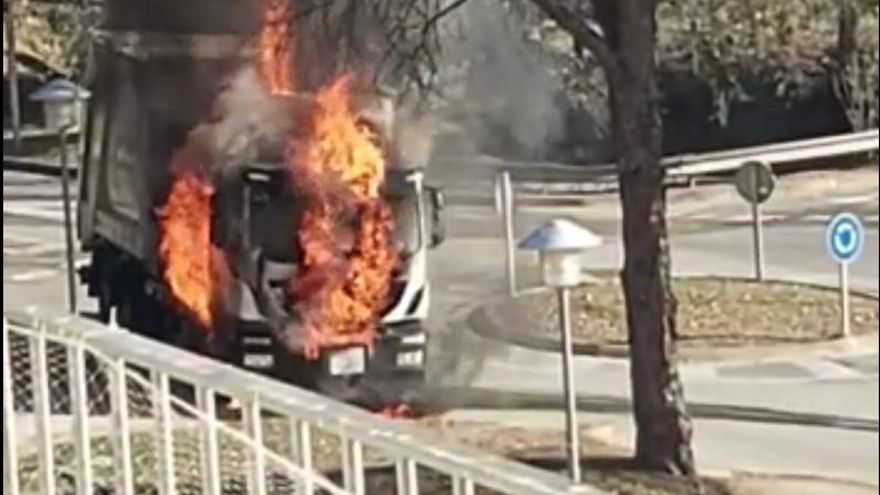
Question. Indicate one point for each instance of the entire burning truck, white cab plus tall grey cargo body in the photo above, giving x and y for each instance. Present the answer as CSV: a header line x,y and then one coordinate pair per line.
x,y
130,134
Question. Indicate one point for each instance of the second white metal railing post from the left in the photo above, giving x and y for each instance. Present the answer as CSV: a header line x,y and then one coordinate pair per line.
x,y
43,410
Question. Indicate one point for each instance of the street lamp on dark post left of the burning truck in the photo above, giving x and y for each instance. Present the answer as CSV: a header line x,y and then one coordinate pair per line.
x,y
62,106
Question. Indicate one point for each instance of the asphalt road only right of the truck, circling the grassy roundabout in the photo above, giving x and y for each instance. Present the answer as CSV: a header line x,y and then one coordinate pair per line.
x,y
792,414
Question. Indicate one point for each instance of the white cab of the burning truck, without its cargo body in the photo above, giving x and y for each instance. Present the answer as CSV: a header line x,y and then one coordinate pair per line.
x,y
396,360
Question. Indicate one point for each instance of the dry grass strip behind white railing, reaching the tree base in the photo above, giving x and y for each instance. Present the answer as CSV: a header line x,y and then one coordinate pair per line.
x,y
605,466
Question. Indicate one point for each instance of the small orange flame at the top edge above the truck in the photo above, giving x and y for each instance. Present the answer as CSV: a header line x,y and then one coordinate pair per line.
x,y
274,48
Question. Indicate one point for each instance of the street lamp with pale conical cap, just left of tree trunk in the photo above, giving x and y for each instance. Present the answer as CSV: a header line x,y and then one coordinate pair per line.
x,y
560,244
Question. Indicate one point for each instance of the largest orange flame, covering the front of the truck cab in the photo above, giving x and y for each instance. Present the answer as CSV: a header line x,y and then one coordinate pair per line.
x,y
345,234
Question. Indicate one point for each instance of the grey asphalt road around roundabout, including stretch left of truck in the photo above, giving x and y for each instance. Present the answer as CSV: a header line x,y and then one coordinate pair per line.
x,y
708,236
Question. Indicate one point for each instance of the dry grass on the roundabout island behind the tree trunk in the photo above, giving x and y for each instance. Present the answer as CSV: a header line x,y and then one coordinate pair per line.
x,y
711,313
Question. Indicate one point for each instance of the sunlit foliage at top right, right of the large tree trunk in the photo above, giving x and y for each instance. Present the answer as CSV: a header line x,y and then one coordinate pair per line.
x,y
785,42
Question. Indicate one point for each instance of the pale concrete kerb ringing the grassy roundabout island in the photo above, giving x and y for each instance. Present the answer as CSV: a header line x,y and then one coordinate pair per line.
x,y
483,321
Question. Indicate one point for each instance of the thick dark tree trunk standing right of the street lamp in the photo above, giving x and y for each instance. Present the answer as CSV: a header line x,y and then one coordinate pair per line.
x,y
663,426
